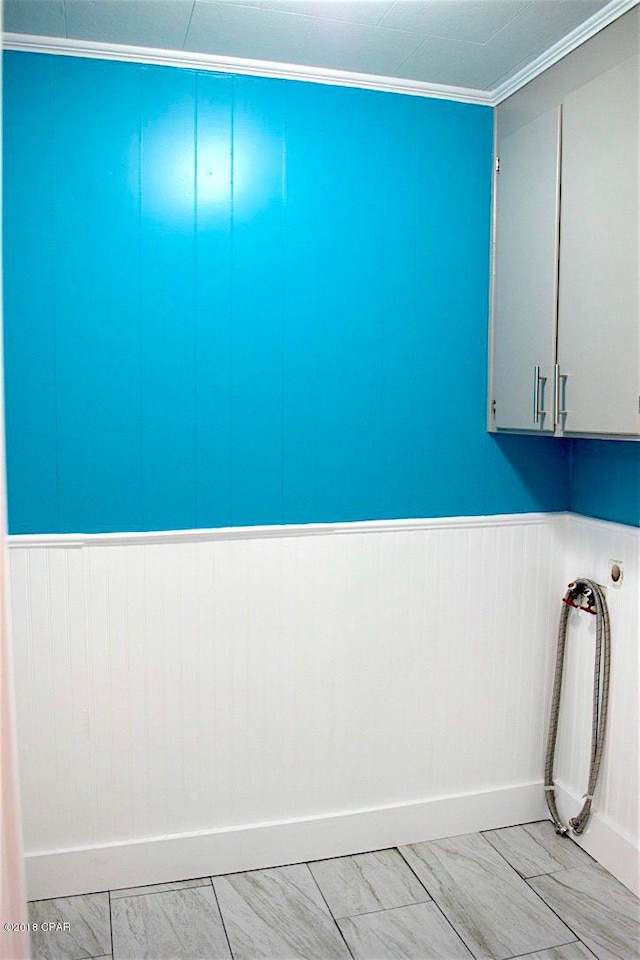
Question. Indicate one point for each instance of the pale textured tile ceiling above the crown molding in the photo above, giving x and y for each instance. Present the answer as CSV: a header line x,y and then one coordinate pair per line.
x,y
465,43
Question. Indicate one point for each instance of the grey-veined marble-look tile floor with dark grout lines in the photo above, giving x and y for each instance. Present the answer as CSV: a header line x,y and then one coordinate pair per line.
x,y
516,892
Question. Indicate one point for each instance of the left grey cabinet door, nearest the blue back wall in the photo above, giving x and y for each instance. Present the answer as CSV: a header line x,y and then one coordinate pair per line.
x,y
526,264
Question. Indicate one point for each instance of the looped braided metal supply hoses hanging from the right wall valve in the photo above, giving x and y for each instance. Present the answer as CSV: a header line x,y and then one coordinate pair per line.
x,y
592,591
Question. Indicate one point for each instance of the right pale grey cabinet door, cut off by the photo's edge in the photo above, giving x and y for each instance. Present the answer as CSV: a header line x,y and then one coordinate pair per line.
x,y
599,323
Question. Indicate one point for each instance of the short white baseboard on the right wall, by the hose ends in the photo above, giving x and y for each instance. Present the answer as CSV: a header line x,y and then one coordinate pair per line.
x,y
616,852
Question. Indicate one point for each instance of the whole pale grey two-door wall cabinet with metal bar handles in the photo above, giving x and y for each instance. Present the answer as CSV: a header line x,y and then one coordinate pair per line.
x,y
566,325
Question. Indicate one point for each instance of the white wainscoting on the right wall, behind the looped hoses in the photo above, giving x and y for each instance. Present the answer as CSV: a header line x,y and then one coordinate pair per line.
x,y
613,832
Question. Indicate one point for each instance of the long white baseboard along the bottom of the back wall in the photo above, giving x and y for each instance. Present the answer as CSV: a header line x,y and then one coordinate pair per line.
x,y
57,873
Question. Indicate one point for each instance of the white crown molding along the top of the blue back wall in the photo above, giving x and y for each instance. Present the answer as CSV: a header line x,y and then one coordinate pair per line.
x,y
260,68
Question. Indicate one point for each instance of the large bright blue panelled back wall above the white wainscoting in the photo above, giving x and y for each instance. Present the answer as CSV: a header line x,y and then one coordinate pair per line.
x,y
232,300
